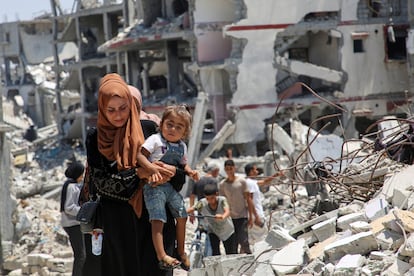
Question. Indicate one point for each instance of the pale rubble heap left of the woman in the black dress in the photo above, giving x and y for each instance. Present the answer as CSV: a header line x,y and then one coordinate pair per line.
x,y
40,246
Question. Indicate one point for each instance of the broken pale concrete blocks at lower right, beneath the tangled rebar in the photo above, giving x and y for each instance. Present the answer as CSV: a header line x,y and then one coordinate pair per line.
x,y
359,238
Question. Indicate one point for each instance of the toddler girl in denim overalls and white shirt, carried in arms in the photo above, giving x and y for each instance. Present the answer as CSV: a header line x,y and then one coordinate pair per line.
x,y
168,146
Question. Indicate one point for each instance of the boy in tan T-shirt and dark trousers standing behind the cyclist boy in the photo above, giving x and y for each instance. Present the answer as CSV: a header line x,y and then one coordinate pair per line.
x,y
235,189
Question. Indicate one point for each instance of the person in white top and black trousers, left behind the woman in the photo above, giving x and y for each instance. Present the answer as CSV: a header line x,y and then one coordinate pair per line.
x,y
69,208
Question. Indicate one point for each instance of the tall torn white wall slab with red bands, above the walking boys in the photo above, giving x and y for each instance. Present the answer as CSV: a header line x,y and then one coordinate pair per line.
x,y
256,74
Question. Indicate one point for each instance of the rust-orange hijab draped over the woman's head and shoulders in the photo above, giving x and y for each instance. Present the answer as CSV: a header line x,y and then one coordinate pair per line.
x,y
119,144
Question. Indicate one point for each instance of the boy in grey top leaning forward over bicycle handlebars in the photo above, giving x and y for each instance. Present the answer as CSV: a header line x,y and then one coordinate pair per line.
x,y
216,210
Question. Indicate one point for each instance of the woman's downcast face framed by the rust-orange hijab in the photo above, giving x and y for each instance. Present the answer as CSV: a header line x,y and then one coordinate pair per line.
x,y
117,111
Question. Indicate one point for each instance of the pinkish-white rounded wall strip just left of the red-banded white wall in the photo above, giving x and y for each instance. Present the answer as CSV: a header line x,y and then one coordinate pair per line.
x,y
210,16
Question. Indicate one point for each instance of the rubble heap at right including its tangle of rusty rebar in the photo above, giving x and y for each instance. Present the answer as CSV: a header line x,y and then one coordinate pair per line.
x,y
366,230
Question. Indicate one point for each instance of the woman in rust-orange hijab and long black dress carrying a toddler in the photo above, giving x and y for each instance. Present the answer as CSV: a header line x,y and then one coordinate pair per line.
x,y
112,150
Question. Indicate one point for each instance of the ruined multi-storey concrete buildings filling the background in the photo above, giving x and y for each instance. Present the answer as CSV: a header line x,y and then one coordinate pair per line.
x,y
255,63
